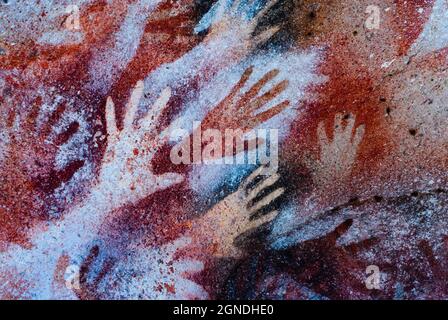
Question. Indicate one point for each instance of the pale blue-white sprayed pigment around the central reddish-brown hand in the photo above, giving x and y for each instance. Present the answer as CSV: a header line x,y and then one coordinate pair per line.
x,y
298,68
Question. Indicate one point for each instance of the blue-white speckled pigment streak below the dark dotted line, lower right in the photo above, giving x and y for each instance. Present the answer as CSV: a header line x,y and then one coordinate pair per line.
x,y
424,218
